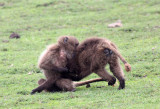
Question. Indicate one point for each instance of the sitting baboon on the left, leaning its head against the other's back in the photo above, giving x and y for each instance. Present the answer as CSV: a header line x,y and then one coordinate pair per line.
x,y
54,59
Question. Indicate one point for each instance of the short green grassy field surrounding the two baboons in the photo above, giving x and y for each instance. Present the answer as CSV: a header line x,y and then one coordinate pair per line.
x,y
40,22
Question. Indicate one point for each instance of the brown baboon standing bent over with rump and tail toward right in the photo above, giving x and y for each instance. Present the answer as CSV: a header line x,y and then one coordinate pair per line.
x,y
94,54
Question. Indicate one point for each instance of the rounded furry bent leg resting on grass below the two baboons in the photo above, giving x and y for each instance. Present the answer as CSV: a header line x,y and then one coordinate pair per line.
x,y
65,84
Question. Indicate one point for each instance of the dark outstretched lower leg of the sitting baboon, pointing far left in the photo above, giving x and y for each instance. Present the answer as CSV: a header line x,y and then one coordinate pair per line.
x,y
46,85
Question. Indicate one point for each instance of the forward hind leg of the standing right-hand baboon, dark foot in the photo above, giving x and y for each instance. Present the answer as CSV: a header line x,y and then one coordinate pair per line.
x,y
106,76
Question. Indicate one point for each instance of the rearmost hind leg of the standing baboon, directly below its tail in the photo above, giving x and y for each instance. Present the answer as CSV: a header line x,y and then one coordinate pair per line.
x,y
117,72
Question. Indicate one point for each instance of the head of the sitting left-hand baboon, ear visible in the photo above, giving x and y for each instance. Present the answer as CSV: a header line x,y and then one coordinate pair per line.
x,y
70,44
